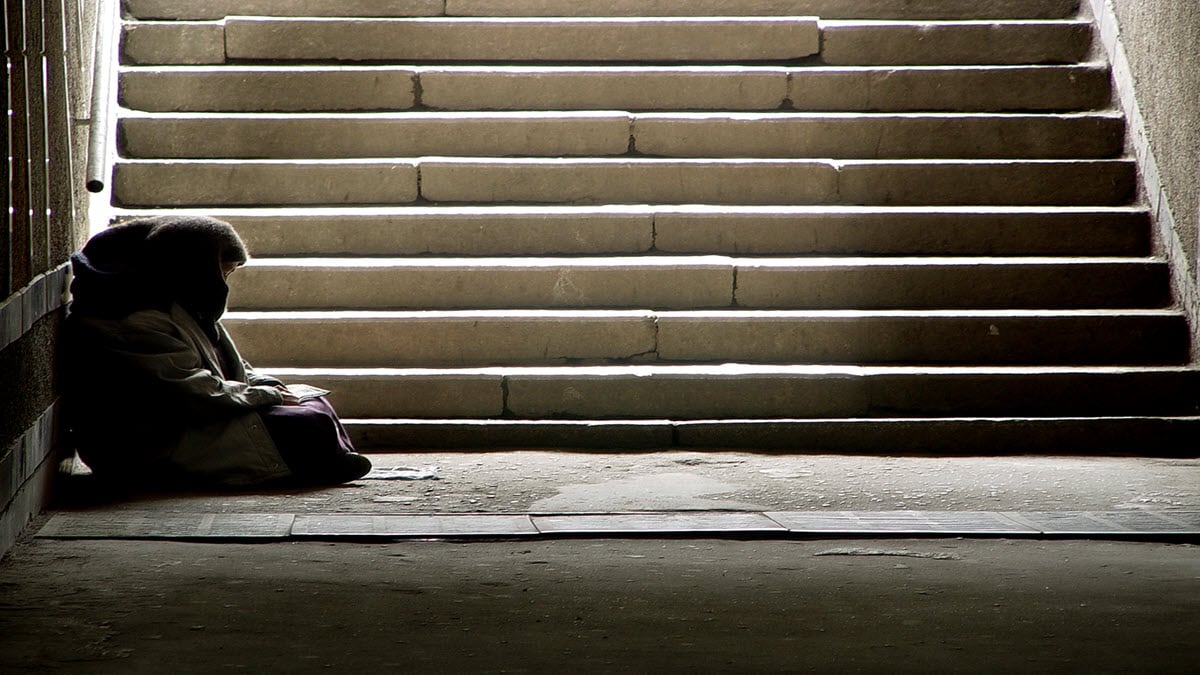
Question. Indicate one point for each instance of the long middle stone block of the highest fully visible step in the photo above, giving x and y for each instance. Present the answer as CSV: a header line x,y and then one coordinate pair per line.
x,y
686,39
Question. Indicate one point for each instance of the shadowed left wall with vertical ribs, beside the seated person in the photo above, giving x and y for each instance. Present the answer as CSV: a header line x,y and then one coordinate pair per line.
x,y
46,219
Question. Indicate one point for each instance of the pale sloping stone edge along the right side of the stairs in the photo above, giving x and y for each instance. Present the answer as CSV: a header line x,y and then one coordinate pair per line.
x,y
1186,288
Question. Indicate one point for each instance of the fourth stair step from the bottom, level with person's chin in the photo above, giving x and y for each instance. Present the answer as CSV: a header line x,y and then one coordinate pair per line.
x,y
713,282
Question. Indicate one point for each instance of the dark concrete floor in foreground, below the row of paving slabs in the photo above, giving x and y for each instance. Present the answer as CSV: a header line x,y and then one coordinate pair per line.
x,y
601,607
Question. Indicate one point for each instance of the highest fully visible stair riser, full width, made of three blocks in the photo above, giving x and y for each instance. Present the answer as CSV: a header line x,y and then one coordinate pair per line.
x,y
842,44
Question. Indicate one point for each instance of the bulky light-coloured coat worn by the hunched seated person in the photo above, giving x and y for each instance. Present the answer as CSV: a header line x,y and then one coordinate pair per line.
x,y
153,398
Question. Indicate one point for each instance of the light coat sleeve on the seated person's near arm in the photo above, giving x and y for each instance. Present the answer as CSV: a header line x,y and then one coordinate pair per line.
x,y
155,347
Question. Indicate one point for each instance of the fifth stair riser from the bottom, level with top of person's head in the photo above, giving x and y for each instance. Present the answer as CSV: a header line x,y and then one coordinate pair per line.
x,y
500,232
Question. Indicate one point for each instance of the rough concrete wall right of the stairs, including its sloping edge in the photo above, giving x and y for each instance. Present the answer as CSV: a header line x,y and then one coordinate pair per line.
x,y
1155,51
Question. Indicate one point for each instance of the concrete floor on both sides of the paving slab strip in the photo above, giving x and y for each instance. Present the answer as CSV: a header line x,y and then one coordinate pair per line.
x,y
629,605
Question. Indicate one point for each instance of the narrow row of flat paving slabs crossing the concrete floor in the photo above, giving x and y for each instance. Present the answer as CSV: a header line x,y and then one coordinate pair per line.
x,y
217,527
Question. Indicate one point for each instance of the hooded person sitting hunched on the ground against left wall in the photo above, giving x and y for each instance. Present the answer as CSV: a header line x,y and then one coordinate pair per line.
x,y
157,392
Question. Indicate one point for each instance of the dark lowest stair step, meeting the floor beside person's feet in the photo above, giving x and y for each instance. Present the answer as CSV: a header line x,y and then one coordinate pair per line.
x,y
1150,437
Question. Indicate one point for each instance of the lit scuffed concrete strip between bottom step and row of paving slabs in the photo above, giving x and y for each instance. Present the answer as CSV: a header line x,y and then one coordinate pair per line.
x,y
559,482
